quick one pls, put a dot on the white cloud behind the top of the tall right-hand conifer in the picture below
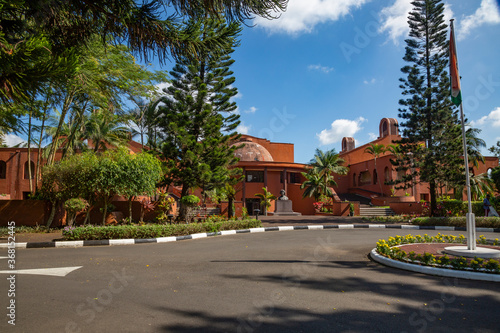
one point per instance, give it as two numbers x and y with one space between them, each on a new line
394 19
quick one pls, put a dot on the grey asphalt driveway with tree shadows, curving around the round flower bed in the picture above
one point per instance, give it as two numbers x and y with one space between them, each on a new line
289 281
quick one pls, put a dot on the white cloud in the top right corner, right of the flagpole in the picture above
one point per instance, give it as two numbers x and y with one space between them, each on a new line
487 13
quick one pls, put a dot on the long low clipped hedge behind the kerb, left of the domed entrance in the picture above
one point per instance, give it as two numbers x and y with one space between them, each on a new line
154 230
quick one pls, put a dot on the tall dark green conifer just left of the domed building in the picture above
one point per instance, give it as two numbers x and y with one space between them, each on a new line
196 116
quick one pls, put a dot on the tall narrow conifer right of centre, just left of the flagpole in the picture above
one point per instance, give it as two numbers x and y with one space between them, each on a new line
431 146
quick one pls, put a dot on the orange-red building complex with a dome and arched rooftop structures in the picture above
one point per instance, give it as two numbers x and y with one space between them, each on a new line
271 165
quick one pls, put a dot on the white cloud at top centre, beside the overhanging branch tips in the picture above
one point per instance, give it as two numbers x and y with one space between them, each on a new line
302 16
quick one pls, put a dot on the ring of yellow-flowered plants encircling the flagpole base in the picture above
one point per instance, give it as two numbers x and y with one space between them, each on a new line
391 249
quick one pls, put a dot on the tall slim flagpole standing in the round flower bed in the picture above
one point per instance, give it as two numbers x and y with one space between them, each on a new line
470 218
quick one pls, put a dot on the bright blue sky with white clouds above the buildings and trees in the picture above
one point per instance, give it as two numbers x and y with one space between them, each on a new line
330 68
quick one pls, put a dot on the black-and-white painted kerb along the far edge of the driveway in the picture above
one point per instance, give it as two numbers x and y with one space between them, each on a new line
130 241
